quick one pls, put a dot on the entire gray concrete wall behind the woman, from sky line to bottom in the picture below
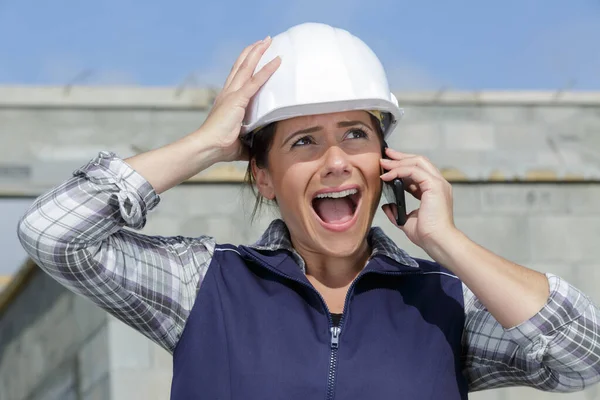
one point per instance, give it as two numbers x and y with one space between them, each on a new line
526 169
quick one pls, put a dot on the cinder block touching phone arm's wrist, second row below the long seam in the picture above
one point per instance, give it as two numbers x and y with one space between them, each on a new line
504 235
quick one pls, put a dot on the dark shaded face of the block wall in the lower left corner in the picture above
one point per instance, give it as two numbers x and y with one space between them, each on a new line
52 345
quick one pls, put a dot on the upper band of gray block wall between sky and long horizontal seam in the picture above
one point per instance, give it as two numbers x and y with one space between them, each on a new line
471 137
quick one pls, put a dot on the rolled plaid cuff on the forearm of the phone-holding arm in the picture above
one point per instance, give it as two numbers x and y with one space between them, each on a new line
565 304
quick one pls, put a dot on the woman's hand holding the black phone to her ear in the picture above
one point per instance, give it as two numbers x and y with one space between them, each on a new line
433 220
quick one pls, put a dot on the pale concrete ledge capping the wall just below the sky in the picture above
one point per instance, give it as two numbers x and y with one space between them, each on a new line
202 98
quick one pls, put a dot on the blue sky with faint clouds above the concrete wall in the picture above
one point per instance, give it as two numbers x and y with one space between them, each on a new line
469 45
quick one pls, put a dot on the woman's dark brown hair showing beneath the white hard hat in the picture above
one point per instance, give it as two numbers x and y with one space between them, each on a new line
258 151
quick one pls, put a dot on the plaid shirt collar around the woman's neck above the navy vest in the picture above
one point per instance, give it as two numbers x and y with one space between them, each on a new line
277 237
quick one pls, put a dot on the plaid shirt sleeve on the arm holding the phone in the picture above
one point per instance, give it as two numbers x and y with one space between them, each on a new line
557 350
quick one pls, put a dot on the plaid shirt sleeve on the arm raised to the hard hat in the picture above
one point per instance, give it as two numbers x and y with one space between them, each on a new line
76 233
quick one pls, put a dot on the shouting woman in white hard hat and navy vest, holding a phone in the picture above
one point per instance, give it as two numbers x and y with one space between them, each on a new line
323 305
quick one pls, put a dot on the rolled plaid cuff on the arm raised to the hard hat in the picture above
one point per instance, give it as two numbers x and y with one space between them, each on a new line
135 194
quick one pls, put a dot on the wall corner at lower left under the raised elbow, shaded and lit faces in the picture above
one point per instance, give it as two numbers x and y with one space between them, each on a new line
55 345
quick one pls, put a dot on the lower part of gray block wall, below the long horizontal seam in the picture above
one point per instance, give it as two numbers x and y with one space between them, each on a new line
54 345
